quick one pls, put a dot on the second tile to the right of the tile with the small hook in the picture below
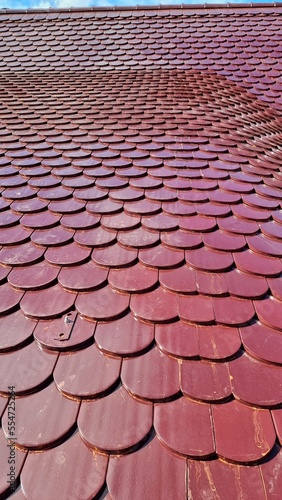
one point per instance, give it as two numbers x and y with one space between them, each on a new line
178 339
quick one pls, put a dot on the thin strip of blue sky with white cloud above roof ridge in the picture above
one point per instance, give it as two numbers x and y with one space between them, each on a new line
46 4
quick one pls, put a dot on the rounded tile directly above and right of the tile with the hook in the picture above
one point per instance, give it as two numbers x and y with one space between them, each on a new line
103 304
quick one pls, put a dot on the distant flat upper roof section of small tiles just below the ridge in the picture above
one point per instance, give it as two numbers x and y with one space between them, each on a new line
247 50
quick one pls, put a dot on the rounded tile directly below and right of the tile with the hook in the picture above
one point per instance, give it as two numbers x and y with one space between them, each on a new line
87 373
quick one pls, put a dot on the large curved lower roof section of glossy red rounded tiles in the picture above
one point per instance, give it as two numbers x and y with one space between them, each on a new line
147 228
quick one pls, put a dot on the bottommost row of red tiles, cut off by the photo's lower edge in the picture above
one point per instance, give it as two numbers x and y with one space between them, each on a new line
151 471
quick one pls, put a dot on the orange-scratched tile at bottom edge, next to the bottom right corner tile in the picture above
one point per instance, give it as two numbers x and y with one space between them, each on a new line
215 477
